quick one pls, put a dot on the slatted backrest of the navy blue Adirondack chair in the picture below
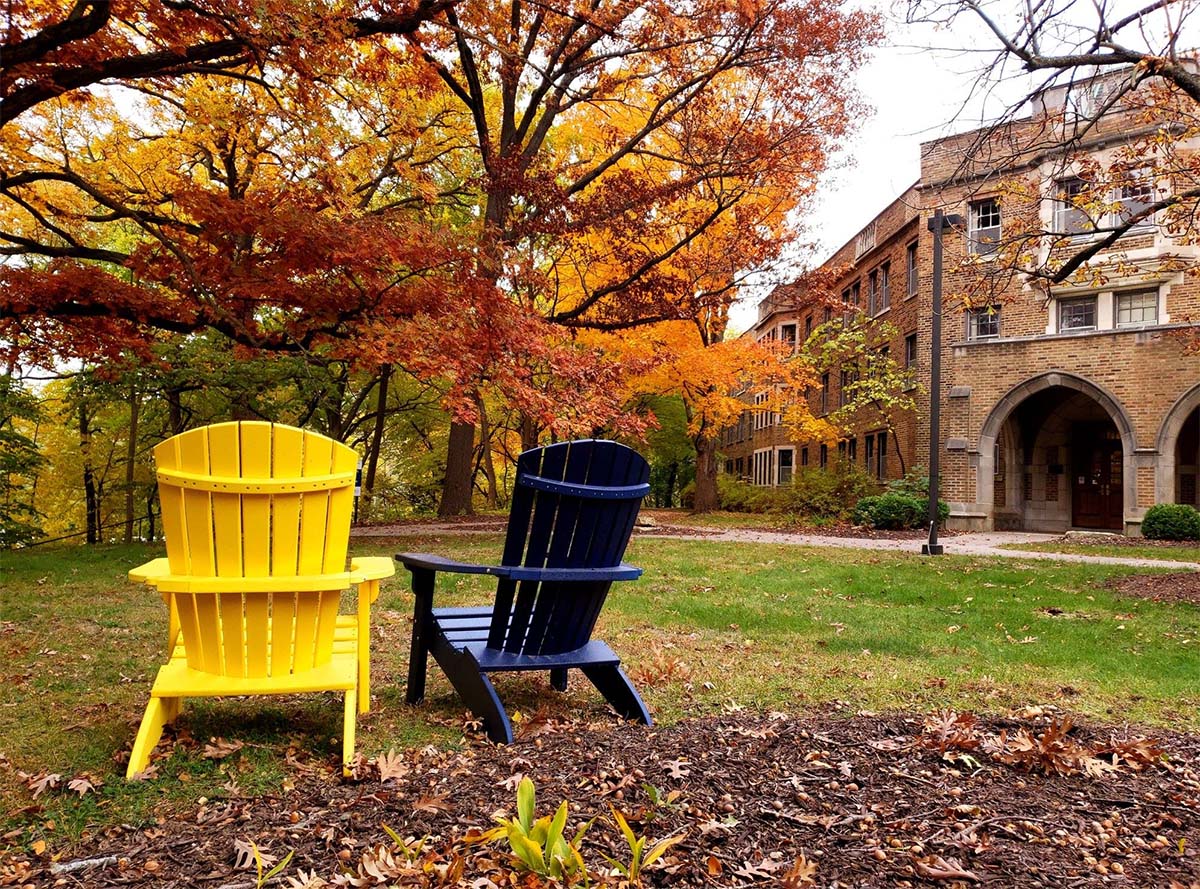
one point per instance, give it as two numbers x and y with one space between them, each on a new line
574 507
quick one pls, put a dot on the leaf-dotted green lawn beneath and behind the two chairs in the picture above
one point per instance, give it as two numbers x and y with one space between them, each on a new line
711 626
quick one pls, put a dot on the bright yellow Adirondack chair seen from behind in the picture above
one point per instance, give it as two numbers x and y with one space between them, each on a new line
257 519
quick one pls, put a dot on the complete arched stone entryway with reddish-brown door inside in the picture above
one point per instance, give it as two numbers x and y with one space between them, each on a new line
1058 452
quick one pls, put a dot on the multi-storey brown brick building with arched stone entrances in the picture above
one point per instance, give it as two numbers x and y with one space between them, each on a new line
1070 406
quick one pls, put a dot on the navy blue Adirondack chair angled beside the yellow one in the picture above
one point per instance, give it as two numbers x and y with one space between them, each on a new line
573 512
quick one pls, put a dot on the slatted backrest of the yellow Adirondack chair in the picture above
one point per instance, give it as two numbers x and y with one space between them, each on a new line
257 520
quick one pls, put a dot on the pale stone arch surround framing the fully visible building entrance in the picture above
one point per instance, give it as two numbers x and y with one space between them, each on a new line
1018 394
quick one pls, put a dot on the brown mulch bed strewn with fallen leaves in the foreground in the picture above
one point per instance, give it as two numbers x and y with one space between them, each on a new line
740 800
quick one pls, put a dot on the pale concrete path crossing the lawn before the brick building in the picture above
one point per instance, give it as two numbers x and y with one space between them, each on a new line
977 544
